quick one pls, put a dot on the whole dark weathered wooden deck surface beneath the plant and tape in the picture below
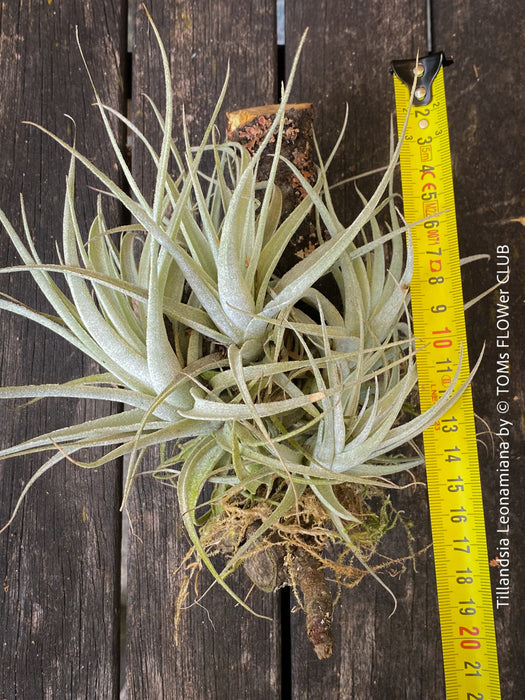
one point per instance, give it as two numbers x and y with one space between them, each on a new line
61 622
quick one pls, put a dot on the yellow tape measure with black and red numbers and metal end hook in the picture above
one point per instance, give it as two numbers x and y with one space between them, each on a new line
454 488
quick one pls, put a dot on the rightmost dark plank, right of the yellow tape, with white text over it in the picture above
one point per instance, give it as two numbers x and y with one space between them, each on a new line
485 106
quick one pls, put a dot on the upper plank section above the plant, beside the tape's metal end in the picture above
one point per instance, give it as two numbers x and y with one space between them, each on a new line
345 61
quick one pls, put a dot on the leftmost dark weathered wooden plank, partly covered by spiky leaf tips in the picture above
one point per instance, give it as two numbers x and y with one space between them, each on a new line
60 559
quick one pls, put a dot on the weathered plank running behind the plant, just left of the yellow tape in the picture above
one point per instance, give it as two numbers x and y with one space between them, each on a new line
346 59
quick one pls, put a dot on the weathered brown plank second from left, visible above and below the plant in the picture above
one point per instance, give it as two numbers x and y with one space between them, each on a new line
223 652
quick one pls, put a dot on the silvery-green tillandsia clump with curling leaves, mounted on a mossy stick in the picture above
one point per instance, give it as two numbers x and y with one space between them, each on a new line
287 408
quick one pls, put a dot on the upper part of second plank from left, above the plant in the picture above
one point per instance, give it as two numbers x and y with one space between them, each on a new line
201 41
